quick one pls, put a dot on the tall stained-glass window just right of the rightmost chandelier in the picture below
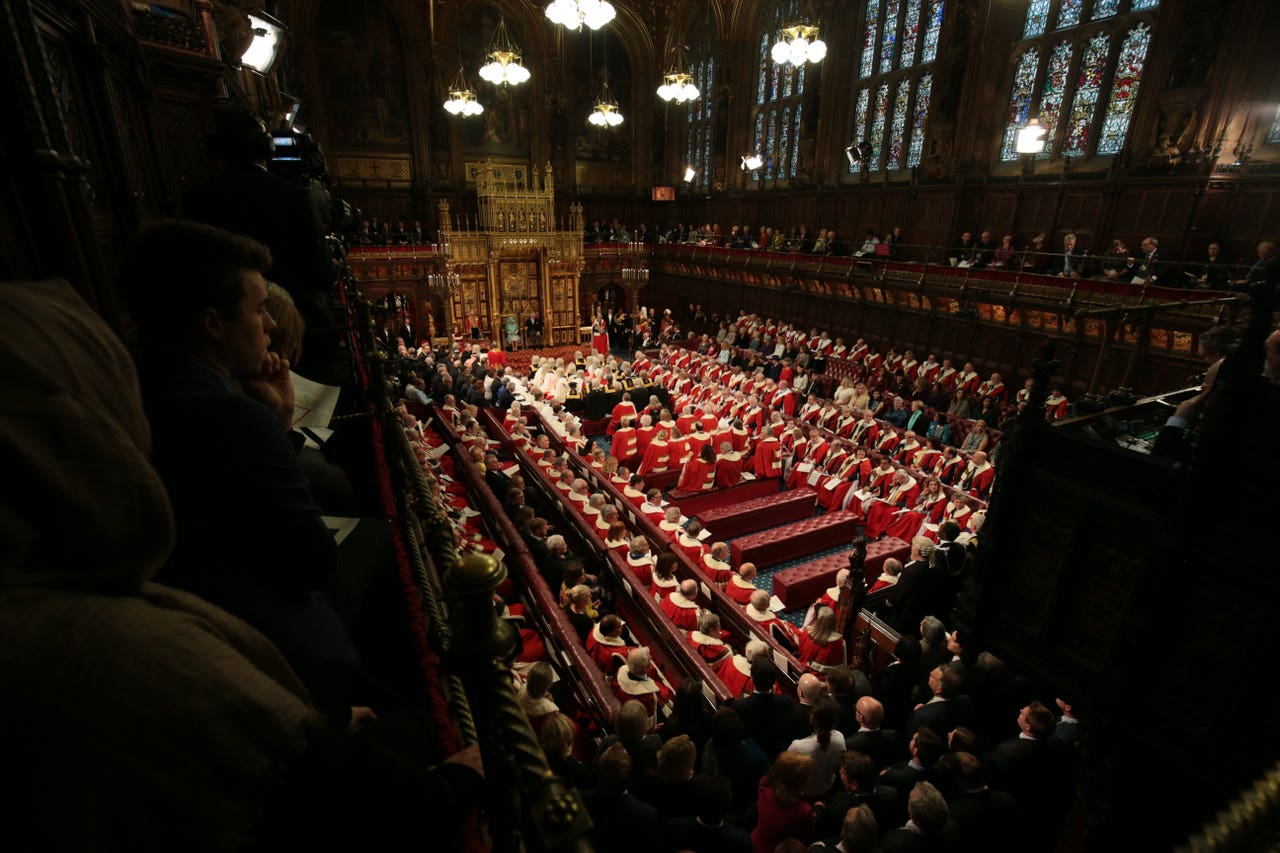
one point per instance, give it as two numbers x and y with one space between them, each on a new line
900 43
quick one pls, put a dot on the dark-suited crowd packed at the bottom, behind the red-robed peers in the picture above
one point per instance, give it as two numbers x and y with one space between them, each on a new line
669 793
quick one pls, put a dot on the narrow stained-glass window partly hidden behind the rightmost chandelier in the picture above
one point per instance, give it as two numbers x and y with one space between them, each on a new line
779 101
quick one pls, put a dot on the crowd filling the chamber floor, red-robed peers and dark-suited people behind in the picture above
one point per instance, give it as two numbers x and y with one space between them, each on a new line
940 750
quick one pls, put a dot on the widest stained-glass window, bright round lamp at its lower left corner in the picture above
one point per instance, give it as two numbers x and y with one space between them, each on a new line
1078 70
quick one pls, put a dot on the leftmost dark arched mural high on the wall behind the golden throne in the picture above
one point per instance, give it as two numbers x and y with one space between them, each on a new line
363 75
